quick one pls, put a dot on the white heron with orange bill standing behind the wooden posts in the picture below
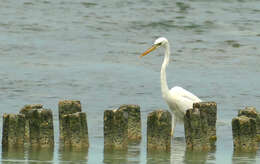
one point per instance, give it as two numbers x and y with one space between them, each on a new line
177 98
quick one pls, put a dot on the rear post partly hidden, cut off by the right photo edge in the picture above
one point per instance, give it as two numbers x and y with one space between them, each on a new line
252 113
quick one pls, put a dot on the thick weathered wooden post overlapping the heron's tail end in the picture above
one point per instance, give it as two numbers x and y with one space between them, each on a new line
200 126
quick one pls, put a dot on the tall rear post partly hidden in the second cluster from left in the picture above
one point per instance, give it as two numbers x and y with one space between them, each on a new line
67 107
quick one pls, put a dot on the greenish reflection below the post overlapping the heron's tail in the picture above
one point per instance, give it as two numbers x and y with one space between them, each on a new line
195 157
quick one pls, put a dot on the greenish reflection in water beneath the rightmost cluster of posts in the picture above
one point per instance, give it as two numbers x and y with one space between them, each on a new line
243 157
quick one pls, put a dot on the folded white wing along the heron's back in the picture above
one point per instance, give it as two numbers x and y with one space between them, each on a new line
179 91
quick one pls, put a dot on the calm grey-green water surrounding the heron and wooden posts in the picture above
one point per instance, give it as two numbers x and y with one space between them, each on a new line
88 50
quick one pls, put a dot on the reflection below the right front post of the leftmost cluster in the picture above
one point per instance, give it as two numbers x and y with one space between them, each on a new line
37 154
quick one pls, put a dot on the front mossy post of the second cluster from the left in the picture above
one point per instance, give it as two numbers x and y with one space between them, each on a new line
76 134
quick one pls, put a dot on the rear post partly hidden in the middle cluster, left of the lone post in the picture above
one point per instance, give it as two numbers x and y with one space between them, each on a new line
134 121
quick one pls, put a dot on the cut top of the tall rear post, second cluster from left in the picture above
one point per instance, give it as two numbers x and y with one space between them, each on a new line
69 107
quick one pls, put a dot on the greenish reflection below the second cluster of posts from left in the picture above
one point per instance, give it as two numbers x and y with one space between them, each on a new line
68 154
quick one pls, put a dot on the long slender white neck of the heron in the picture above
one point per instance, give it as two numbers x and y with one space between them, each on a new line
164 85
